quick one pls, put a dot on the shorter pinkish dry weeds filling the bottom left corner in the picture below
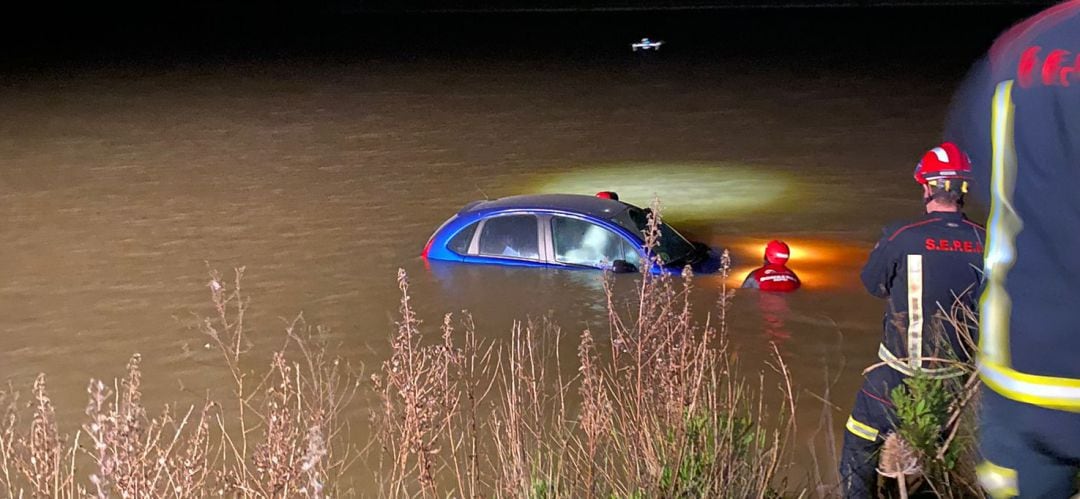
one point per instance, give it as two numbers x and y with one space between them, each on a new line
280 435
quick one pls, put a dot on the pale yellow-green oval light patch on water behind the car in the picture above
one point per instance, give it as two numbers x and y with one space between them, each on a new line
687 192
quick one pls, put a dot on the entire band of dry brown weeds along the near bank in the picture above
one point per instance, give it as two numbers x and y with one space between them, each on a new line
656 407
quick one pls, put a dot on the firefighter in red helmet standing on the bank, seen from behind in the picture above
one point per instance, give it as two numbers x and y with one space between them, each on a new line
922 268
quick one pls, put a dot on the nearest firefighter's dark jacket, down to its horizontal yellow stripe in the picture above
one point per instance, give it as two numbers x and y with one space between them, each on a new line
1020 120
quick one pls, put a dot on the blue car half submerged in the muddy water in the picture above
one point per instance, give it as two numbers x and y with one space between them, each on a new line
564 232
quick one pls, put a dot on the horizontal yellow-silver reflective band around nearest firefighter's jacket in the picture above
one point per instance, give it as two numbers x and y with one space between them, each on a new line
1046 392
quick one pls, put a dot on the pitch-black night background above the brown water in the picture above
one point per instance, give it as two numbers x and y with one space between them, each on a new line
163 34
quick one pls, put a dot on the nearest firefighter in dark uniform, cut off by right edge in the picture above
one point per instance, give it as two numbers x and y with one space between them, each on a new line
1019 117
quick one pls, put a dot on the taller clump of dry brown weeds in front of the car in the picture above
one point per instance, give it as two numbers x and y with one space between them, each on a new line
657 409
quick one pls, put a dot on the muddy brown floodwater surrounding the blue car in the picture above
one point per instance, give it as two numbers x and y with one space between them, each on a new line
118 188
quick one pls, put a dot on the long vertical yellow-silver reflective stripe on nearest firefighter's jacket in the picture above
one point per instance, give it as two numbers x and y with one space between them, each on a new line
1004 226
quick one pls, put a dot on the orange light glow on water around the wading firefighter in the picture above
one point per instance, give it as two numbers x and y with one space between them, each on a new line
821 264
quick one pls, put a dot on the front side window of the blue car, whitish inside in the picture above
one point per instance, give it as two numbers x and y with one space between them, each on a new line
580 242
